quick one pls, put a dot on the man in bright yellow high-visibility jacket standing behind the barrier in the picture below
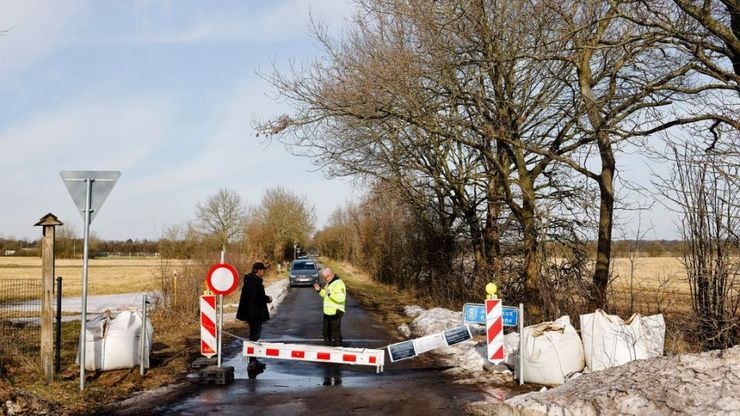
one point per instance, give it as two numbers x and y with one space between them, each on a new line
334 295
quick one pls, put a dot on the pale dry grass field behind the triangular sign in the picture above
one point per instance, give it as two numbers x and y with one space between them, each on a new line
105 276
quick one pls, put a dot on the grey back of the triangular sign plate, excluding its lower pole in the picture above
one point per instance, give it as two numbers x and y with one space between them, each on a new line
102 182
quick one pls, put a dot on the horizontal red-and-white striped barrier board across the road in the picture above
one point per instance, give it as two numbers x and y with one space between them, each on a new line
340 355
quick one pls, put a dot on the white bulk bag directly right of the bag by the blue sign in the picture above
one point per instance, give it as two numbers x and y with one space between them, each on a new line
608 341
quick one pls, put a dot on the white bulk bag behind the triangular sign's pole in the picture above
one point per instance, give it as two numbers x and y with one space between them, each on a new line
120 344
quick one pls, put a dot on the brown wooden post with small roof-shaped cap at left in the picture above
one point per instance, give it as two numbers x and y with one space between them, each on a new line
48 222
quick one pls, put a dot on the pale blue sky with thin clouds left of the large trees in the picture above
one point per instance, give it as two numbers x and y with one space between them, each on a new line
167 92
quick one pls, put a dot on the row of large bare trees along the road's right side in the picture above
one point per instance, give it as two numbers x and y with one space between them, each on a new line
491 129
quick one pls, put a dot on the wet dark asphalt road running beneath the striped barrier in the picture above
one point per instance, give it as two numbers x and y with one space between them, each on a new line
298 388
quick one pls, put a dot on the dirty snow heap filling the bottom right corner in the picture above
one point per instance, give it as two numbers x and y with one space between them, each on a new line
707 383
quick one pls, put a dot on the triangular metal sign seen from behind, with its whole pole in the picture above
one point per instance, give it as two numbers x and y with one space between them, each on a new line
88 199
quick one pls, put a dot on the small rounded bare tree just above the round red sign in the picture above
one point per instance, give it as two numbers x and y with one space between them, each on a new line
222 216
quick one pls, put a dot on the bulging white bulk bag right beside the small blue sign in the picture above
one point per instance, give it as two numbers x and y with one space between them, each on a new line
552 351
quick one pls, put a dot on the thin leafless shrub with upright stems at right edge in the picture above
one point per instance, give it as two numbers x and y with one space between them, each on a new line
703 188
